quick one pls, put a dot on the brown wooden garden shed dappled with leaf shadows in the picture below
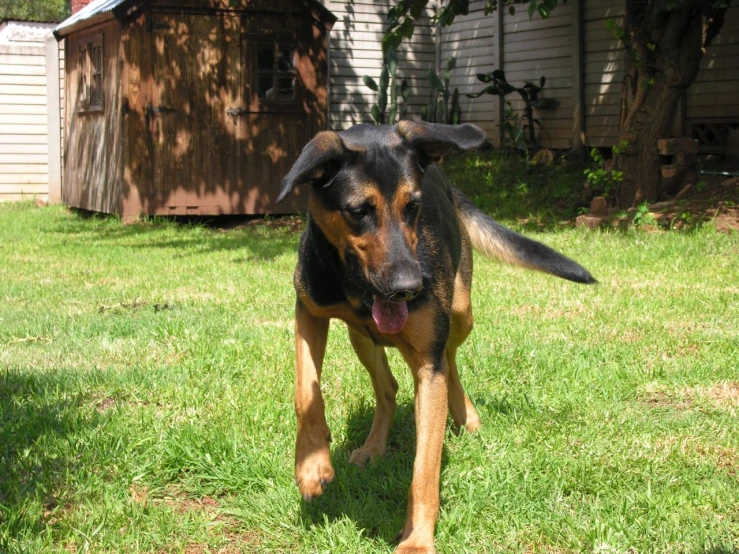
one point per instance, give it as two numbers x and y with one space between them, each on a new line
178 107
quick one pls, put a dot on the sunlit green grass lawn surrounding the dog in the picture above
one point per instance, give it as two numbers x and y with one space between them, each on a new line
146 399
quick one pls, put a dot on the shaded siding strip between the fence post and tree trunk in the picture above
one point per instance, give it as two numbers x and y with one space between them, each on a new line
604 71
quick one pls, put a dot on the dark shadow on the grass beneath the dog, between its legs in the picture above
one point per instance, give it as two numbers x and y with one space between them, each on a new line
375 497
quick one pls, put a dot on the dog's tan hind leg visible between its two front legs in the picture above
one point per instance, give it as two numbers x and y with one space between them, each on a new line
373 358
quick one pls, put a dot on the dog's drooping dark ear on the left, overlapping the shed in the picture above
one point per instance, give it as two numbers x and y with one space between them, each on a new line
318 157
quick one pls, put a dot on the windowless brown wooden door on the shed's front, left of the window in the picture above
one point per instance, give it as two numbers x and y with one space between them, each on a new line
196 76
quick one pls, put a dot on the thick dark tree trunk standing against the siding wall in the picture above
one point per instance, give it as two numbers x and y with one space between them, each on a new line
664 48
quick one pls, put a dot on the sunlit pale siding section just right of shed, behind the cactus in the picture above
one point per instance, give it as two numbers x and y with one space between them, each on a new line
356 50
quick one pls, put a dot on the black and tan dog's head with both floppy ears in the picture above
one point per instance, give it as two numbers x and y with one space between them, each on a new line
366 199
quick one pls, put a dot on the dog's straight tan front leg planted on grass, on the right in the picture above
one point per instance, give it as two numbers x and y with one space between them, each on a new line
430 381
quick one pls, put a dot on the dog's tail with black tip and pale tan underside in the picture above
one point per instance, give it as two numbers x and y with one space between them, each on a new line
492 239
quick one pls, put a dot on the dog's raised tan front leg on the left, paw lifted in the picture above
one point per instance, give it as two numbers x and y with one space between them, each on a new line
313 470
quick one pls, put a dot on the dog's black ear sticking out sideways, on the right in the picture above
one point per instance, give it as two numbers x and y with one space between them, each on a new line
435 140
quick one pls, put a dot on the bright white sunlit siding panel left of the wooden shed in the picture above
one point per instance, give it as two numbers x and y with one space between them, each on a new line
23 131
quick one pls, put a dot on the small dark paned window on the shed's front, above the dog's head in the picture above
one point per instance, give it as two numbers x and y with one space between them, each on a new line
276 72
